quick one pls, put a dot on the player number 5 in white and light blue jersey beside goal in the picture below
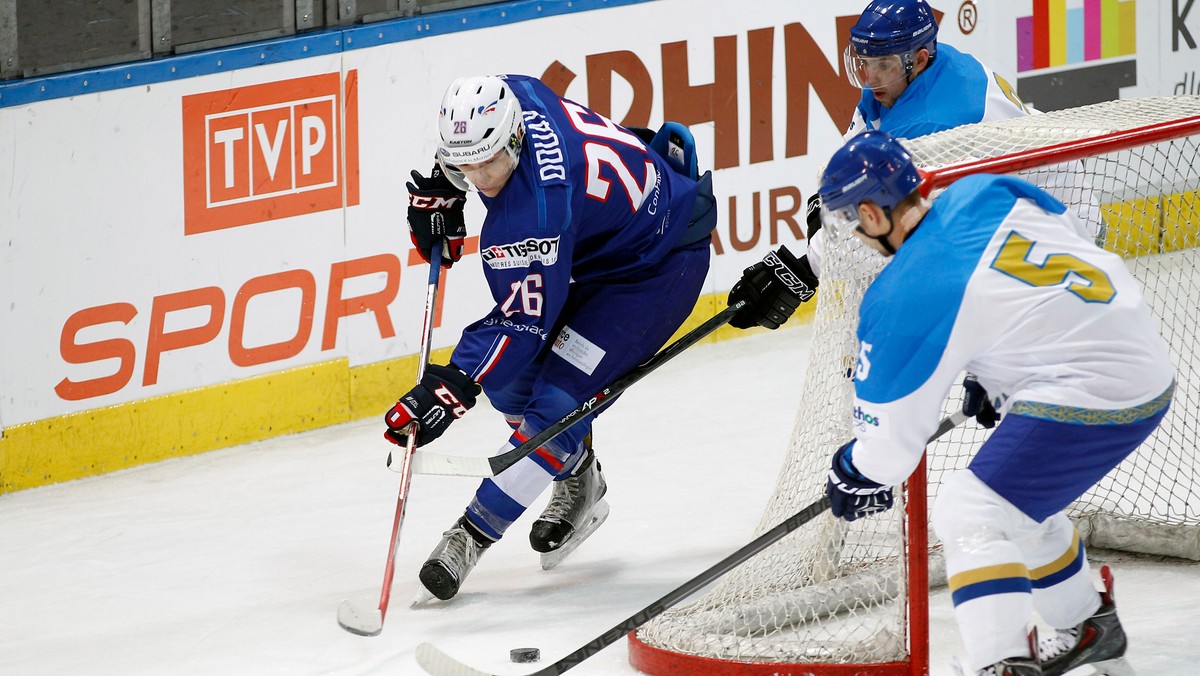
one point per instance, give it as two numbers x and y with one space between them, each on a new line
997 278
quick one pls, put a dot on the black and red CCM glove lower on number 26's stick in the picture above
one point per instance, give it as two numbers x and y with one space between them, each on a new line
443 396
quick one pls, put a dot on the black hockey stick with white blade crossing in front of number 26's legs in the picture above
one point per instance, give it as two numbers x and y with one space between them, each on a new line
427 463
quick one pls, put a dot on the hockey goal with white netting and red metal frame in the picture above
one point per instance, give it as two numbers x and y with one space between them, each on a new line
841 599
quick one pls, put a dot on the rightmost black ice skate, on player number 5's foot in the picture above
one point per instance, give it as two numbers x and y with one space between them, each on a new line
1095 648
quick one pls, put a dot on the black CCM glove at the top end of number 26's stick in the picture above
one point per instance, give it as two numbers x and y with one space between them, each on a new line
435 214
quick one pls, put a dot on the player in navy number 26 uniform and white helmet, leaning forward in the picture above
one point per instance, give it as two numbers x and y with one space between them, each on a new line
596 247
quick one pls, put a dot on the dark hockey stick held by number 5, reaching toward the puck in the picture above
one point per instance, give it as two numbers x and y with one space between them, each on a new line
439 663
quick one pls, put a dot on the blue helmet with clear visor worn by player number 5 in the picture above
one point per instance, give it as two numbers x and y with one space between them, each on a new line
874 167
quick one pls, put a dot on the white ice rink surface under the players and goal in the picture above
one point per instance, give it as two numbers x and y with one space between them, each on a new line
235 563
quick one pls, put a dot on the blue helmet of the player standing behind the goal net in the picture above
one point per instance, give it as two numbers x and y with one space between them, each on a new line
895 27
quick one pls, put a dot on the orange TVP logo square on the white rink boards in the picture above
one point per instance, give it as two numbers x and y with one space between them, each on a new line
268 152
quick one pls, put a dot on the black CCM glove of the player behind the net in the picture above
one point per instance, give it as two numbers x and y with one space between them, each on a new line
773 289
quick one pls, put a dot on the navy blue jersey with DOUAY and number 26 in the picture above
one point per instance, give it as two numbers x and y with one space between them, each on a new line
589 202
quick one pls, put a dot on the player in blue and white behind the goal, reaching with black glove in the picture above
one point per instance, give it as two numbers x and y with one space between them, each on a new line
913 86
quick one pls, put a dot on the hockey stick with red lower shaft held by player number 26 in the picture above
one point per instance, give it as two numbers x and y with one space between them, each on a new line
370 623
